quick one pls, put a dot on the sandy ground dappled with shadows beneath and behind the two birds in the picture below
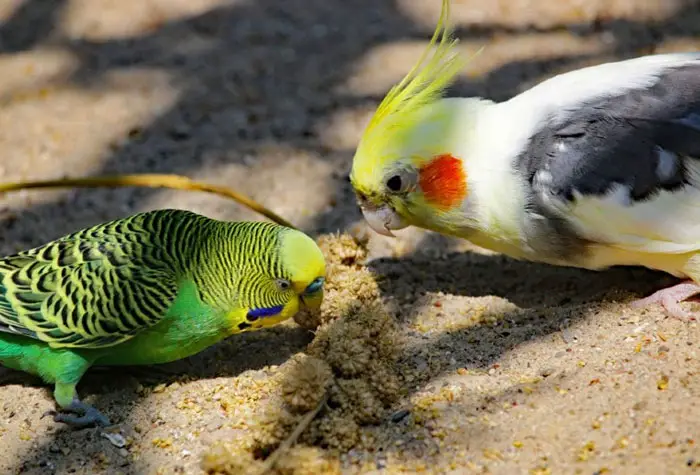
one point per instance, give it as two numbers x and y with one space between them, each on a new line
499 366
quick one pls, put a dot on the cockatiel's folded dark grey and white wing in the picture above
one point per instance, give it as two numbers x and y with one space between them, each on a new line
624 169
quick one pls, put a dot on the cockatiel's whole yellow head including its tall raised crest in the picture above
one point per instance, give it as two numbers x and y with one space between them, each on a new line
404 170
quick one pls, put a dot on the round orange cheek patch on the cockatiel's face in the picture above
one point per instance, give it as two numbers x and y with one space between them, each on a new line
443 181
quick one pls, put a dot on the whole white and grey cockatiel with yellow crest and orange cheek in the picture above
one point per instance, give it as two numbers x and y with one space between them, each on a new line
593 168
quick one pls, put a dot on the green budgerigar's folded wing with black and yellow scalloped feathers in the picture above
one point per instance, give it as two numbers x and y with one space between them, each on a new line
93 289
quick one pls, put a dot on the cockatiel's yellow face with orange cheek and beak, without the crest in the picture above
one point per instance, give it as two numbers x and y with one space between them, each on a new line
408 172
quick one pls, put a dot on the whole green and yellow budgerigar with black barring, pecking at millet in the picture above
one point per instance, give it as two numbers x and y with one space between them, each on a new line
151 288
